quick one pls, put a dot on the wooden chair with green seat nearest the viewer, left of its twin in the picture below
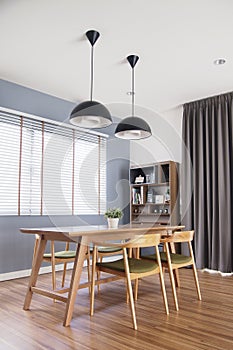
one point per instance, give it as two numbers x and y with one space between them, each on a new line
131 269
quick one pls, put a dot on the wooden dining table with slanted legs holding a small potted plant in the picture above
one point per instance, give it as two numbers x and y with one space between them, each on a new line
83 236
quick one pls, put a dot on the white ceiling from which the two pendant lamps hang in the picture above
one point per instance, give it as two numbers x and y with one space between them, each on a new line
43 47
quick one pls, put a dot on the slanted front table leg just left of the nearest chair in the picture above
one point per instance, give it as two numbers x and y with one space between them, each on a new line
75 279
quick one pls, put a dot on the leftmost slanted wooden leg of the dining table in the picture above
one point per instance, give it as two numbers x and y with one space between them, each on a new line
37 260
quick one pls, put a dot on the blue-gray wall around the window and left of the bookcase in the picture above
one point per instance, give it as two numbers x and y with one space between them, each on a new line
16 248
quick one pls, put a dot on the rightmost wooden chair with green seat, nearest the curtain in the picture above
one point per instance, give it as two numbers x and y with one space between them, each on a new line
173 261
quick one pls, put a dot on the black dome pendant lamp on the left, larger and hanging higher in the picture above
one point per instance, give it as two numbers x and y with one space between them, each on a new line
91 114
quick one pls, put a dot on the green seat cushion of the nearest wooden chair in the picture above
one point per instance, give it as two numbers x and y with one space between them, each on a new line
135 265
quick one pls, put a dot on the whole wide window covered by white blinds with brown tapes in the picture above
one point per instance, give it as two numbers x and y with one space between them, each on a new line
48 169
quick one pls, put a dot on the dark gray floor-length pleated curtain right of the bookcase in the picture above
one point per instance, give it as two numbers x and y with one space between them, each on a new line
207 180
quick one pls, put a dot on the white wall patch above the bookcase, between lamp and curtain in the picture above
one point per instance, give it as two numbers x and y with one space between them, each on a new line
165 142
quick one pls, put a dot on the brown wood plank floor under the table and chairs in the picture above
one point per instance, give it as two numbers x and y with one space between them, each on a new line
198 325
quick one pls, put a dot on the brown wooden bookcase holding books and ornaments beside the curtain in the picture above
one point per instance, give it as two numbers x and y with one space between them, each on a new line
155 193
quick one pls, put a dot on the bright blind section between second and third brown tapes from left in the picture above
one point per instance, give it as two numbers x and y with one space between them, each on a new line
57 170
